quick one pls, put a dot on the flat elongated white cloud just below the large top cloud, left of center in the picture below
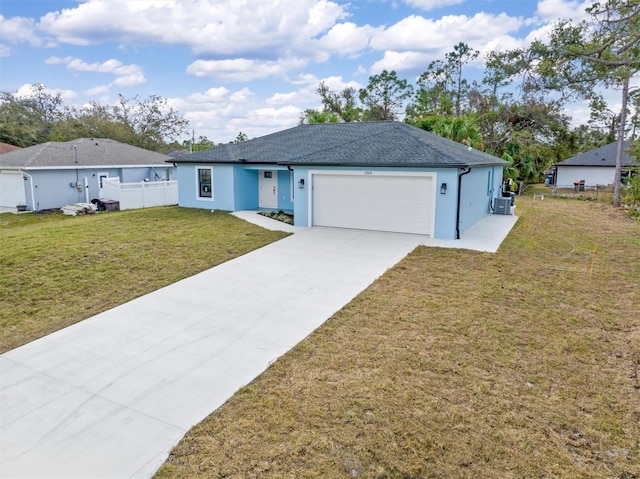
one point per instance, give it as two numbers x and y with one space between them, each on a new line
242 69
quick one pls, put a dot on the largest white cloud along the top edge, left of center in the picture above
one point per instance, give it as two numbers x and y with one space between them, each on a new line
206 27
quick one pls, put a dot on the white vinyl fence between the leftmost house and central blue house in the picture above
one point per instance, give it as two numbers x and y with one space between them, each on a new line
143 194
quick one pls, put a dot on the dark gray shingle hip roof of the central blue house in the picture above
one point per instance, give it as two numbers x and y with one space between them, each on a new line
379 143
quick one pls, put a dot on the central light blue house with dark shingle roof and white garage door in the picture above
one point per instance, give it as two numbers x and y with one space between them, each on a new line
386 176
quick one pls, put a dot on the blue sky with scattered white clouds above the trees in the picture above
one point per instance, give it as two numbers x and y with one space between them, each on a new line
249 66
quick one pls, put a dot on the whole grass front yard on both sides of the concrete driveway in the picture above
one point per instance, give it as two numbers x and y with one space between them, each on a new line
518 364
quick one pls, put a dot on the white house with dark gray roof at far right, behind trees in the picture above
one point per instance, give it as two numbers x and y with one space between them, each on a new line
595 167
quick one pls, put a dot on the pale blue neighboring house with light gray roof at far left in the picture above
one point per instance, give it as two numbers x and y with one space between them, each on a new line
52 174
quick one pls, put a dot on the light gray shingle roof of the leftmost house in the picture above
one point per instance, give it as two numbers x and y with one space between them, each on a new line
91 152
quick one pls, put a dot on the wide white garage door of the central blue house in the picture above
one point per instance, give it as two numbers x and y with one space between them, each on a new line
403 204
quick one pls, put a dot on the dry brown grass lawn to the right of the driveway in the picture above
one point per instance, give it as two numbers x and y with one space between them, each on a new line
457 364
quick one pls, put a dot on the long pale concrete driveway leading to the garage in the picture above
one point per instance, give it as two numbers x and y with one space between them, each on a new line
111 396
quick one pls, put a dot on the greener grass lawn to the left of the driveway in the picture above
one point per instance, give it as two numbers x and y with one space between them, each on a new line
57 270
